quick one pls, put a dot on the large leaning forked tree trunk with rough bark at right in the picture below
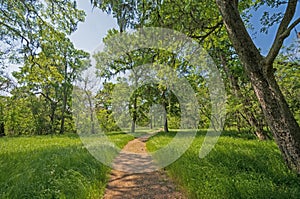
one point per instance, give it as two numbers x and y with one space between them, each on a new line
261 73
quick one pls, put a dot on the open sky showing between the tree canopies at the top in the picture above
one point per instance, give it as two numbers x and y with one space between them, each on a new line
90 33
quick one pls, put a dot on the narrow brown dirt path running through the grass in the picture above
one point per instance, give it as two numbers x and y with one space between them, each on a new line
135 175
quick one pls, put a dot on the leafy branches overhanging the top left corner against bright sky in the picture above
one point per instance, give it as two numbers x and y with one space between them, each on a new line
25 24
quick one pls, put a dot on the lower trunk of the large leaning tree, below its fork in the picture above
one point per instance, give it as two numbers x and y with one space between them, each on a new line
280 119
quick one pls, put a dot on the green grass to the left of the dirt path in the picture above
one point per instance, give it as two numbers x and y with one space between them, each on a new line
52 167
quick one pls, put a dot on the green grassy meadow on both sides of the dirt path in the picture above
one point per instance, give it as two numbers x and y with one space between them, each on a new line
60 167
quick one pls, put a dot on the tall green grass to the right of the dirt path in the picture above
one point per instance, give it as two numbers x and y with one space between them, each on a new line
238 167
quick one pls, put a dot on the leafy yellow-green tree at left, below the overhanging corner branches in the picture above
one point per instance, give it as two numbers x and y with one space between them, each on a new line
51 76
